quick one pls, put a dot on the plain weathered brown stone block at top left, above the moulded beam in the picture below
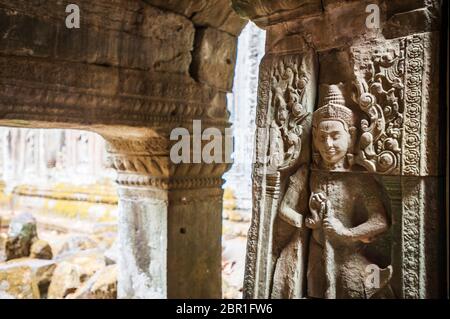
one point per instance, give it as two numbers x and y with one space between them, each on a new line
122 33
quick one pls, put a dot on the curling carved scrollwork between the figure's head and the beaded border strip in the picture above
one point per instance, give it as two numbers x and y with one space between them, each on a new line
380 96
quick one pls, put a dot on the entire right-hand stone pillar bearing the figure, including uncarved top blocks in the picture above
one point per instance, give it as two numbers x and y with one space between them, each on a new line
380 61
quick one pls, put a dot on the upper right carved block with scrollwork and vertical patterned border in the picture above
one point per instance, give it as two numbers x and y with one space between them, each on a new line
388 89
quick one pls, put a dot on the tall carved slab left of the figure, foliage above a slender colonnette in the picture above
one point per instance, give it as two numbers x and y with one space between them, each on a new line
287 95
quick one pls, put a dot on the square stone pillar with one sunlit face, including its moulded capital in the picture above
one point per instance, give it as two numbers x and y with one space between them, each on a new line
169 222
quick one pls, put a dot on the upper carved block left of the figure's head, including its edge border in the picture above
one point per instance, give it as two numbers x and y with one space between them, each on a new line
285 114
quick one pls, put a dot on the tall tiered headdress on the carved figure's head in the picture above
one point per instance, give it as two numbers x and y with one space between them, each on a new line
333 108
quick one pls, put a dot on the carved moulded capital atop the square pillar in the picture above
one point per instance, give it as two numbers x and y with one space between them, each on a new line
146 163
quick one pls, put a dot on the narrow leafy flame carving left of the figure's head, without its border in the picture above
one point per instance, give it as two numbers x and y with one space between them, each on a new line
289 104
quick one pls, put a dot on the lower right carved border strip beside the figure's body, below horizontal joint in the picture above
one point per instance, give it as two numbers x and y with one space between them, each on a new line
415 231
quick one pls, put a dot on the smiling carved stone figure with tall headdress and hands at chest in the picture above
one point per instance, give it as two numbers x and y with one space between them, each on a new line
345 214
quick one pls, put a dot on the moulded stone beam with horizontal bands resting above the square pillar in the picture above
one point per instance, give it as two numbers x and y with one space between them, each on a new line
109 96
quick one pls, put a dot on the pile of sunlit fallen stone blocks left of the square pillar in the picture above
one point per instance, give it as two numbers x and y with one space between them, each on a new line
71 266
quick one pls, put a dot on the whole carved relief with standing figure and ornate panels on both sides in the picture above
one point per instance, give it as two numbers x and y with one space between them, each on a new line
338 188
